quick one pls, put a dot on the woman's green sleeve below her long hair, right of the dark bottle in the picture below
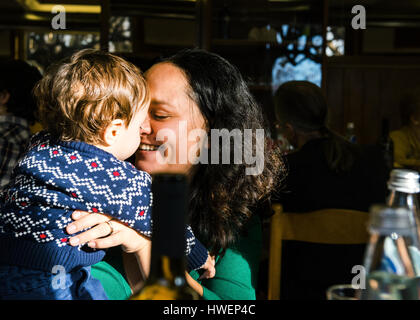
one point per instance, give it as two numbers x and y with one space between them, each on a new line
237 271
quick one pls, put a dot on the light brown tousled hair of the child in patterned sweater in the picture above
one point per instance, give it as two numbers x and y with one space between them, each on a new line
79 97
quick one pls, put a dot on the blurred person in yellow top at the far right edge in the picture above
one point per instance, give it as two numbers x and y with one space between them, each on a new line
407 138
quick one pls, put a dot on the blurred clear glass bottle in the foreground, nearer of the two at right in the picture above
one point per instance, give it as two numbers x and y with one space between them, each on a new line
392 256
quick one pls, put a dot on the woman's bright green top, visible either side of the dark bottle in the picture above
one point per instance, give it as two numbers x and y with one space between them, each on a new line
236 272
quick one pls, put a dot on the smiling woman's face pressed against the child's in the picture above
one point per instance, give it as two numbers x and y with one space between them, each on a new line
172 115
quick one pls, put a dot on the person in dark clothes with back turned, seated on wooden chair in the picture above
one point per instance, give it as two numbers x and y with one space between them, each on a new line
324 172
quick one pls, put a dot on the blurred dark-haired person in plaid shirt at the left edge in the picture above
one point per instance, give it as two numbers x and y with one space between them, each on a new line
17 112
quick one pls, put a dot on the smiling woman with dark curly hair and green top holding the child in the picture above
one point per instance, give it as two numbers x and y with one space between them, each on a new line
196 92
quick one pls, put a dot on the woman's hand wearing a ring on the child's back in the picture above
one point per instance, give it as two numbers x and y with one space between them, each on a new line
105 233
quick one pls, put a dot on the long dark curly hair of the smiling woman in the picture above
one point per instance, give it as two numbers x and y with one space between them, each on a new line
224 196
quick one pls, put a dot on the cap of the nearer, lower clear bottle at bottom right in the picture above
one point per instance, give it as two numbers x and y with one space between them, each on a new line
387 220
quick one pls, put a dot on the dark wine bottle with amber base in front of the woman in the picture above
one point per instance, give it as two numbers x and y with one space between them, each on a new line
167 268
